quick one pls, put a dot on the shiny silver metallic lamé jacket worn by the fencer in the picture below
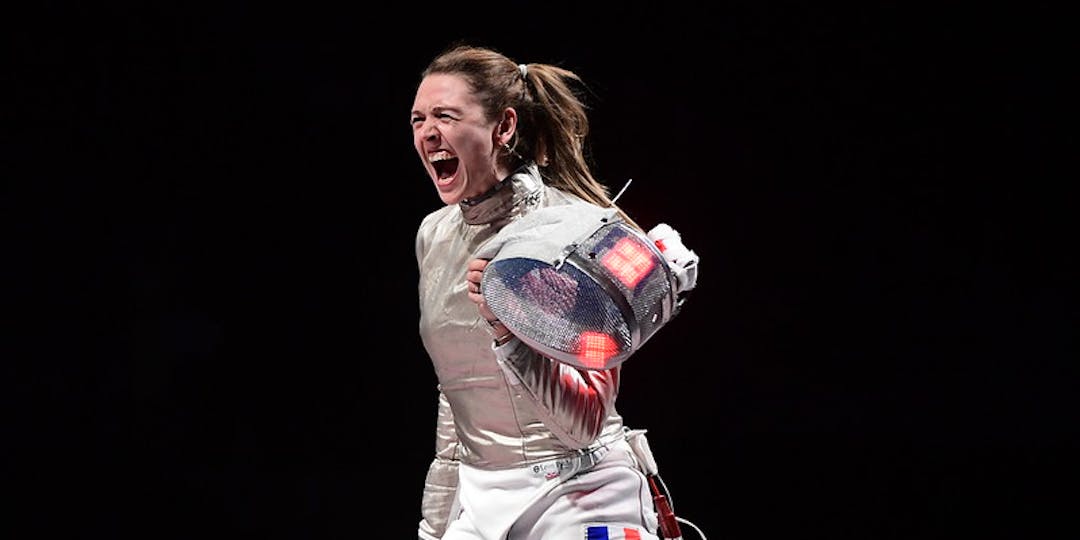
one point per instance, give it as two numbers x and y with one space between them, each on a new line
506 407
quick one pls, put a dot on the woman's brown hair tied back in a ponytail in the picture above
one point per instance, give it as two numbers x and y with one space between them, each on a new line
552 120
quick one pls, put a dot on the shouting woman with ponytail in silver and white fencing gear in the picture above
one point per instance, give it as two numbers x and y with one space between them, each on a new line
526 447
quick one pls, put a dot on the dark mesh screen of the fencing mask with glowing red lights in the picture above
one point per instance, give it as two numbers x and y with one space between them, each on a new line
596 309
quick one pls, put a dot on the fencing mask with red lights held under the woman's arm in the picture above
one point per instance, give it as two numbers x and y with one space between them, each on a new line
582 287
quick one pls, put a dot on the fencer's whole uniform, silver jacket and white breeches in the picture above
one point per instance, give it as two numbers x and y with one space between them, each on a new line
526 448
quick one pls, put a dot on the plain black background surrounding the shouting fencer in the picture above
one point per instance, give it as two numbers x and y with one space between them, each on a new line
213 287
